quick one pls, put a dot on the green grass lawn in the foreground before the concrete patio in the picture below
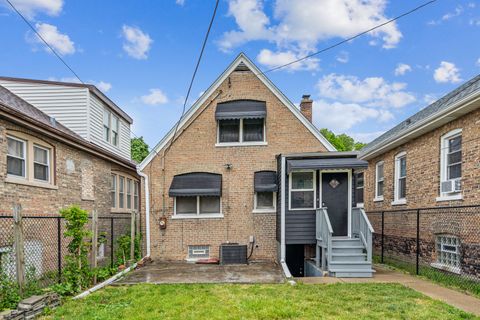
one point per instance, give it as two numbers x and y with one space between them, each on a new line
283 301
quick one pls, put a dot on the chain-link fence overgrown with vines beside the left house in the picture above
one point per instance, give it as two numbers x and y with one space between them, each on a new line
45 246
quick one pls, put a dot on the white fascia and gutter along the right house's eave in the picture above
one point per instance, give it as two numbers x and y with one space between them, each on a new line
428 124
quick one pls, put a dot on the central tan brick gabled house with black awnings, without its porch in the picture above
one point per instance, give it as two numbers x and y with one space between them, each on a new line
212 177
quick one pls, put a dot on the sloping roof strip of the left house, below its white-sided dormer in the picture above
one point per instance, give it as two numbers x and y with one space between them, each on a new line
17 108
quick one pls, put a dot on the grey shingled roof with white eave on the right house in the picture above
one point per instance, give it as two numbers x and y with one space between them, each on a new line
453 105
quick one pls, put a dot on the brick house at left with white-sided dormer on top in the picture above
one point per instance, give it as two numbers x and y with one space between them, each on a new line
51 159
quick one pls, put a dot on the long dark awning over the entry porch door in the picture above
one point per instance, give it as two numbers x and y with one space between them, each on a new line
325 163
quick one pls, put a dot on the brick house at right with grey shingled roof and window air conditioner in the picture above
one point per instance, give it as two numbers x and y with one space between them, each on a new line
432 159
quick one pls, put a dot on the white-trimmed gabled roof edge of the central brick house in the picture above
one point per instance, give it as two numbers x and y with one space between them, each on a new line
241 62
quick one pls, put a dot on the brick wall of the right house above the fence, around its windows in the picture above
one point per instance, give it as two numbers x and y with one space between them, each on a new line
423 168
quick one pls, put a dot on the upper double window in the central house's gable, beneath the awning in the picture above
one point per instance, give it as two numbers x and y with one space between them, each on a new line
241 130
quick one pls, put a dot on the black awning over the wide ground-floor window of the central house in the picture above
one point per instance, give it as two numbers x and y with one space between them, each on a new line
196 184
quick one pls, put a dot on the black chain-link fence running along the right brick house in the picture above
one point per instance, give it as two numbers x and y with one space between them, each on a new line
442 243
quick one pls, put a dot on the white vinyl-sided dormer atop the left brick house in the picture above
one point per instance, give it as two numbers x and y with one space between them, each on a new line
76 107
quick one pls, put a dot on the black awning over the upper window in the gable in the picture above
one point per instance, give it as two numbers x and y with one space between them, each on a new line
241 109
